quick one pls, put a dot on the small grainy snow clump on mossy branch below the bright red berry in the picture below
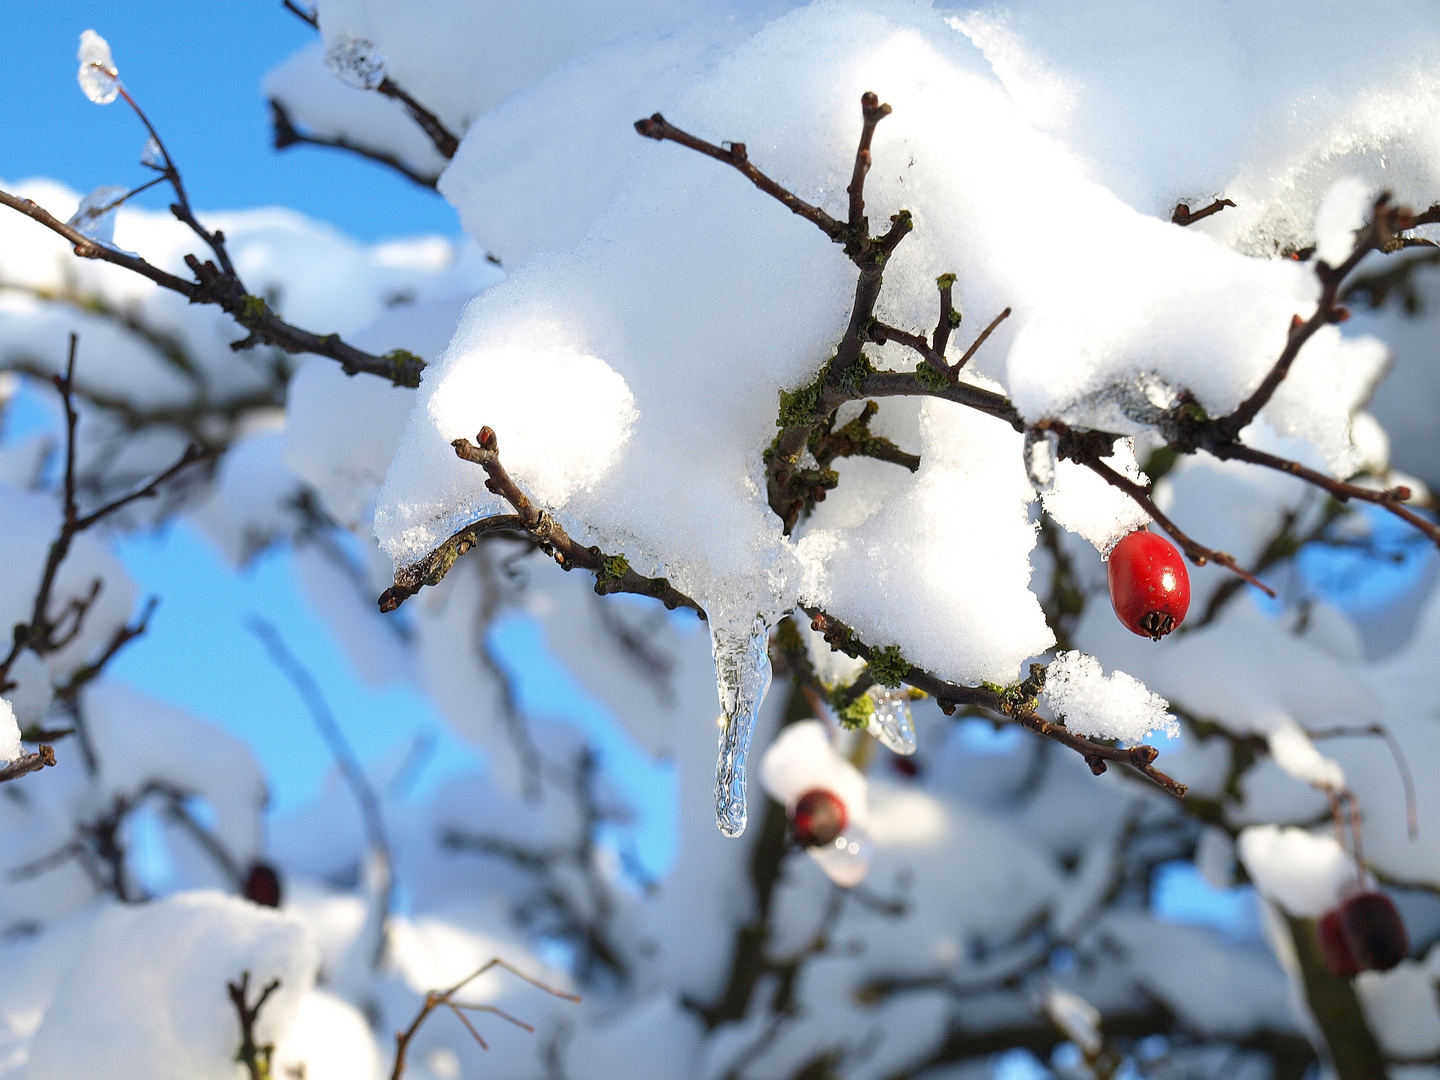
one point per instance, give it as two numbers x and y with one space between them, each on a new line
1114 706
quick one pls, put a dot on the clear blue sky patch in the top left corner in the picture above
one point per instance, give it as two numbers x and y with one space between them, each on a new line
197 68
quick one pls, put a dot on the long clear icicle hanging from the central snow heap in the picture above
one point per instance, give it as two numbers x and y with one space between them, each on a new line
742 678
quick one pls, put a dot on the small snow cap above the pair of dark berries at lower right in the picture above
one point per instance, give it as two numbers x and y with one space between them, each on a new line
1305 873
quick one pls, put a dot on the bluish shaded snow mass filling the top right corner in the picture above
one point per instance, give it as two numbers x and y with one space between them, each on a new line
1268 104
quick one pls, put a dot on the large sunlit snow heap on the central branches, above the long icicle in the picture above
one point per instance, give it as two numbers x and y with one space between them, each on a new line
627 410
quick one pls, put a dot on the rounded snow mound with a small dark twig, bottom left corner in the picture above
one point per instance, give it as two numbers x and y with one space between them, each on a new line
149 991
